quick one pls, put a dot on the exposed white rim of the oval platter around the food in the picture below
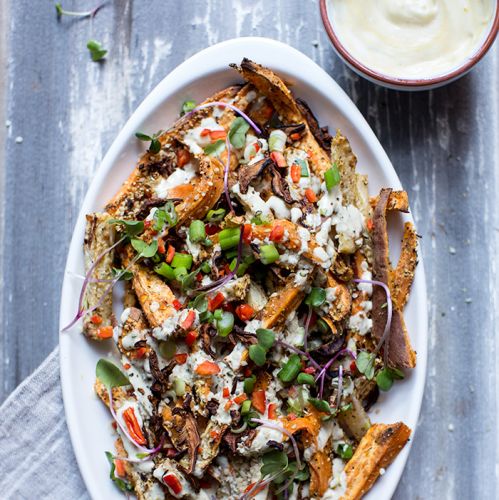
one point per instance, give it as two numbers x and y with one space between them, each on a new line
264 51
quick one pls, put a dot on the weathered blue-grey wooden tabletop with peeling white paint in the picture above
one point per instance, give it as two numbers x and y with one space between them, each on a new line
444 145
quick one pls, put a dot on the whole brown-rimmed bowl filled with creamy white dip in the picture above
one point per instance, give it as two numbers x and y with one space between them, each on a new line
411 44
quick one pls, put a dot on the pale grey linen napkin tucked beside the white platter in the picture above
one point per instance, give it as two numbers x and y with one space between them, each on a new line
36 456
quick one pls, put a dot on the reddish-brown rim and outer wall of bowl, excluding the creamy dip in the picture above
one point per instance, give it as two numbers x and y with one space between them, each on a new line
402 83
